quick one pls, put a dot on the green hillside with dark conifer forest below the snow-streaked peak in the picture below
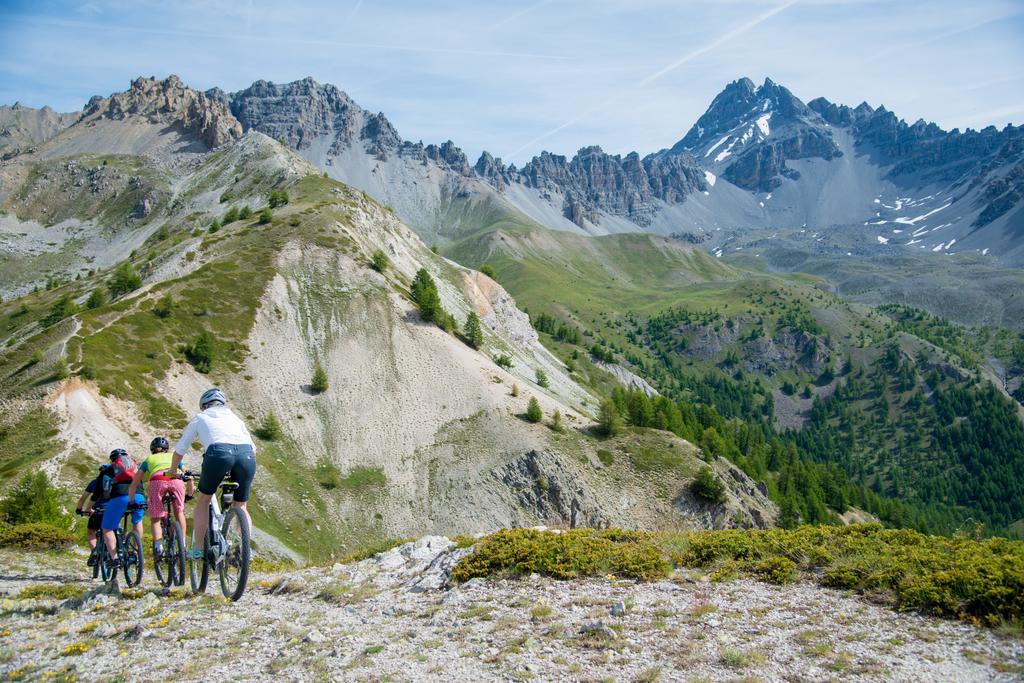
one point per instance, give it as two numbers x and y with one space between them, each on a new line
833 406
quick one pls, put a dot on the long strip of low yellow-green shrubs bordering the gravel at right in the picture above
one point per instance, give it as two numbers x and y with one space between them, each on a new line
976 581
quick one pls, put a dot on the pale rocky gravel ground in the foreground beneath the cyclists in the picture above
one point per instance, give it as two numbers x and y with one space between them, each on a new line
391 619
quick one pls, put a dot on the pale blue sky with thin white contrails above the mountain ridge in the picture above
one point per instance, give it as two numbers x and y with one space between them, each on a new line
518 77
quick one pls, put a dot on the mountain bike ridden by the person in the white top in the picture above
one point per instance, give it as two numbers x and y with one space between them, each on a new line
227 547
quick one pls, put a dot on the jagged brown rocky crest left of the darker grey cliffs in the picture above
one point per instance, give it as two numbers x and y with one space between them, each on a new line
170 101
